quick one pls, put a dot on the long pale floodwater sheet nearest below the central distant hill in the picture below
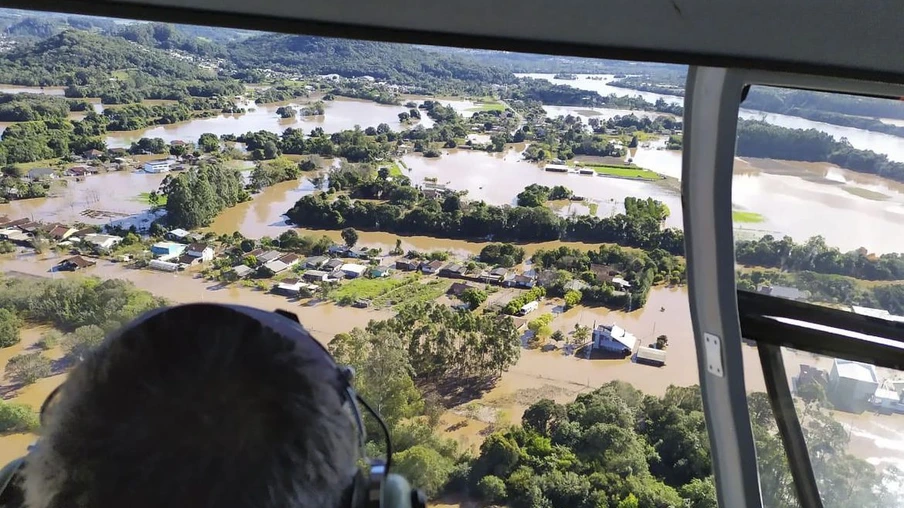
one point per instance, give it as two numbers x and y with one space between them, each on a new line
339 114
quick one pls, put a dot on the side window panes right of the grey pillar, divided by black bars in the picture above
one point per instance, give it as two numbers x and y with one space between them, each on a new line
817 198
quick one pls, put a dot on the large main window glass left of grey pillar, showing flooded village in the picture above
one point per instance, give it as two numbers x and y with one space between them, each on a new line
492 239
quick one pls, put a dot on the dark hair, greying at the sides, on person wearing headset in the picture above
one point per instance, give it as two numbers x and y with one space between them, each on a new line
200 406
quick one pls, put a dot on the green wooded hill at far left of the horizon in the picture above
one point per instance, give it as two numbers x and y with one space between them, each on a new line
77 57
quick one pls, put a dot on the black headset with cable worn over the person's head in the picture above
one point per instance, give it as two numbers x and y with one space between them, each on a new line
373 487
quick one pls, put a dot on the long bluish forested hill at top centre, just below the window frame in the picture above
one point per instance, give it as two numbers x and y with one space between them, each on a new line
398 63
